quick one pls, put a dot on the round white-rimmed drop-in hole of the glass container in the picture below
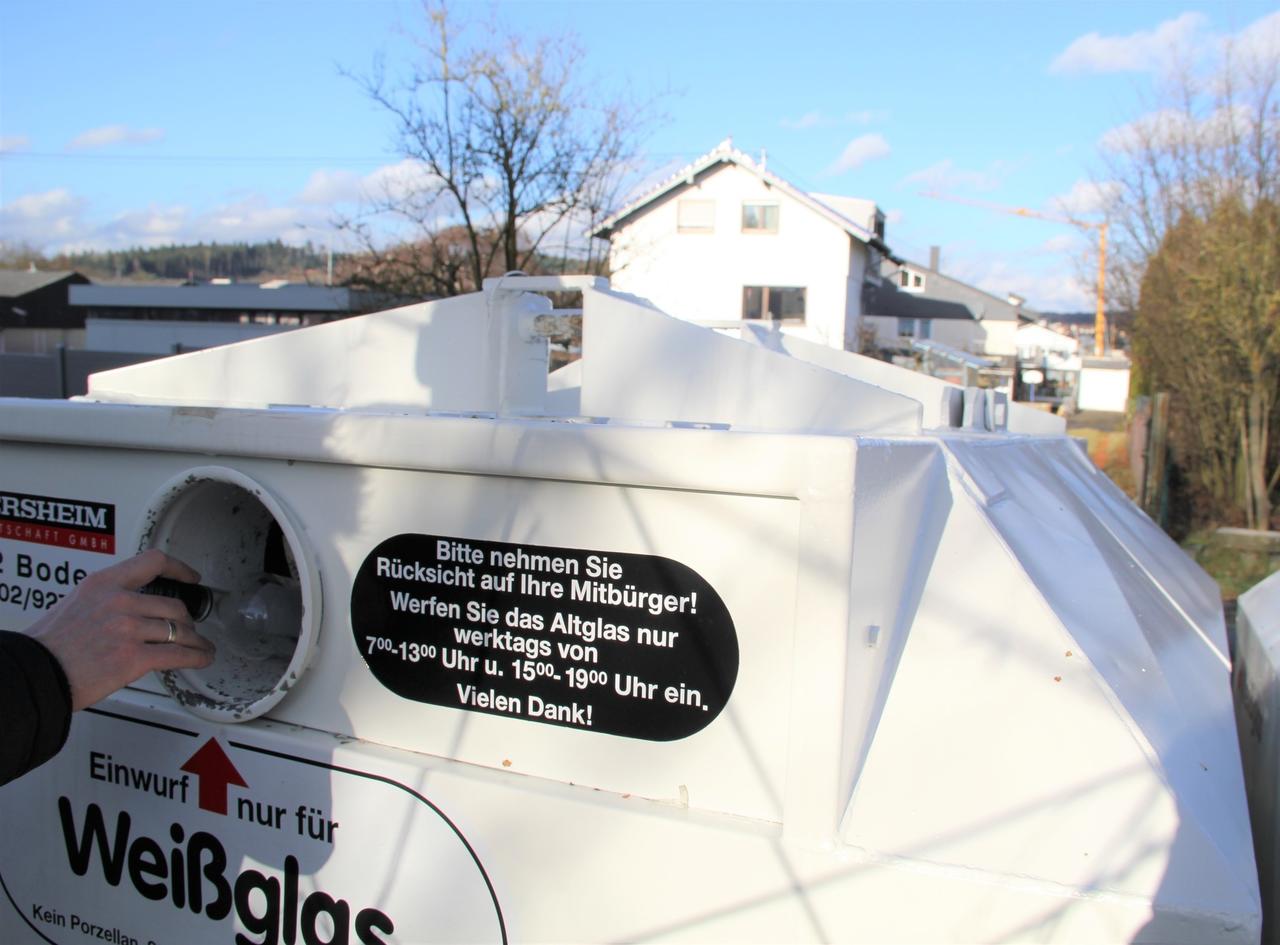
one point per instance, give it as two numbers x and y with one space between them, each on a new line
266 597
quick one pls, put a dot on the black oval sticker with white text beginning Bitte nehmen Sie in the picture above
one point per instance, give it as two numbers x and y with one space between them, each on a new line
624 645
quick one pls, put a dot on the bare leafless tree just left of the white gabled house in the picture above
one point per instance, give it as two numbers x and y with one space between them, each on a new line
506 148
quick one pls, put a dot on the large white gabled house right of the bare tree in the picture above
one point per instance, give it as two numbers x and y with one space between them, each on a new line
725 241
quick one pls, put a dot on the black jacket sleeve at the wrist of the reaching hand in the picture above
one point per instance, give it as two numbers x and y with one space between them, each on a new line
35 705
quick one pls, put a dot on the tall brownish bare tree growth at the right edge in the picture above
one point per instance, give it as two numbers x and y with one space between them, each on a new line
1196 212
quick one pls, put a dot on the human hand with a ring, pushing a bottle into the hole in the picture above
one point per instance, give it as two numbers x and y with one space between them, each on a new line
106 634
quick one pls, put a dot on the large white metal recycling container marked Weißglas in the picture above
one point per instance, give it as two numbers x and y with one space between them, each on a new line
701 640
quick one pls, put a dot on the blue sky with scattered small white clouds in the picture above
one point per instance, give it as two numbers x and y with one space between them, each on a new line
153 124
